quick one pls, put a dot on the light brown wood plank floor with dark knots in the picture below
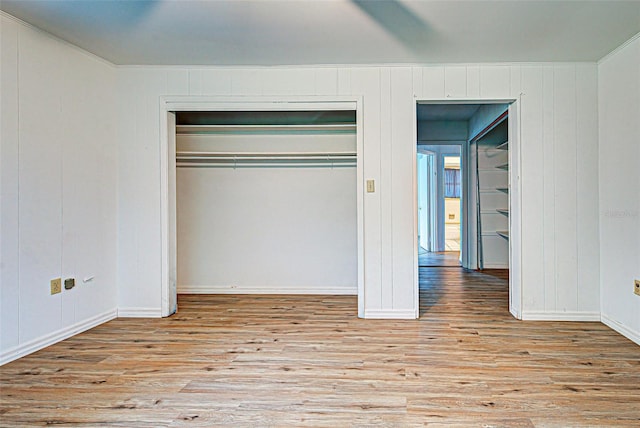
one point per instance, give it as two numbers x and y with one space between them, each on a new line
308 361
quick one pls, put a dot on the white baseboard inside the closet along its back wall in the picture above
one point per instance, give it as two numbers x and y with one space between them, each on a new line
257 289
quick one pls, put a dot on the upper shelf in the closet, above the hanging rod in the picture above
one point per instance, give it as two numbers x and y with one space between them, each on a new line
206 129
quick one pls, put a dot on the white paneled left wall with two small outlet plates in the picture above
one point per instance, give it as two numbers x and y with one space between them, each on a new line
58 188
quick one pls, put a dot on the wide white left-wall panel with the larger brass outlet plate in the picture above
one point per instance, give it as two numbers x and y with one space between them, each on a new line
40 180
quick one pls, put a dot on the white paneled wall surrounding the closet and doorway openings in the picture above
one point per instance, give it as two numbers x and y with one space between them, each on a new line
560 216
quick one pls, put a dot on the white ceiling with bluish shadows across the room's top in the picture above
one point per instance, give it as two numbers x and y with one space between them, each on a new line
308 32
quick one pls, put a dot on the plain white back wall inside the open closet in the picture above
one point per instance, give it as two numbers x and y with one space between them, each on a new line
263 228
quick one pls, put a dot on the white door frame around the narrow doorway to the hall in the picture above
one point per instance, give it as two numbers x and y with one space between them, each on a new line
515 192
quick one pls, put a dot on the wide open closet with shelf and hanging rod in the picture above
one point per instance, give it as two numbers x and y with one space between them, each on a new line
262 198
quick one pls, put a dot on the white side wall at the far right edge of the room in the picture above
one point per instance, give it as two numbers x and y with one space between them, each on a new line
619 116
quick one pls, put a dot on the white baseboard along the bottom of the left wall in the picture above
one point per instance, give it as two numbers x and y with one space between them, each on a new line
55 337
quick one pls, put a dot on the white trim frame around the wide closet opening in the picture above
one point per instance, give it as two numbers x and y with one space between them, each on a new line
169 105
